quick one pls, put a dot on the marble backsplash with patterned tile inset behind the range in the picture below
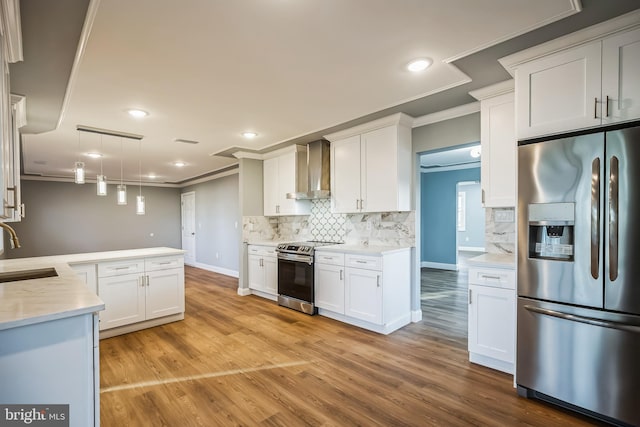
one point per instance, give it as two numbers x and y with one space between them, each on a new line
375 229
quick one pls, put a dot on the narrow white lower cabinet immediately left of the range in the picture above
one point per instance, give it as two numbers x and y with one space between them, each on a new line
263 270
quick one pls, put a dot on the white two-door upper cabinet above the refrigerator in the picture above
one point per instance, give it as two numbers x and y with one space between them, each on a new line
582 80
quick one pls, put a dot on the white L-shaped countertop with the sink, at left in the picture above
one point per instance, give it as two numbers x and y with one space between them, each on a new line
27 302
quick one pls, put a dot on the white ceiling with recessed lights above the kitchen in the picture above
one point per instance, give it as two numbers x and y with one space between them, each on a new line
207 70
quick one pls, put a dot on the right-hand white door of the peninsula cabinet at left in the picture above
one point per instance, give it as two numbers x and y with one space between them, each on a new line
164 293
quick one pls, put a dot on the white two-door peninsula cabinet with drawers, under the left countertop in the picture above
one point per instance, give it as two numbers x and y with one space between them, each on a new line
139 290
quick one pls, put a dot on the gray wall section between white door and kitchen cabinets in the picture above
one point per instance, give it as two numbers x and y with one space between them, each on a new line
217 222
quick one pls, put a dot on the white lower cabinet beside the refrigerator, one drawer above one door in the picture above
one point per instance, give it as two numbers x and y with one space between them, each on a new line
492 320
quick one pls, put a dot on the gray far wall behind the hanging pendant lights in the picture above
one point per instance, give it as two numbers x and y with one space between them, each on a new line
66 218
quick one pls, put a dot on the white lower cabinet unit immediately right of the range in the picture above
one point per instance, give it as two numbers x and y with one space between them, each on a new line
369 291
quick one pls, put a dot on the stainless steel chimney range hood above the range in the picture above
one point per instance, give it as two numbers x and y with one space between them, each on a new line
318 173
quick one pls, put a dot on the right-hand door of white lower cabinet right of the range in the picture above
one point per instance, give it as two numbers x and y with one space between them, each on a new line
363 294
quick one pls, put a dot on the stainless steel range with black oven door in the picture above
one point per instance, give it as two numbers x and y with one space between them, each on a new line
296 275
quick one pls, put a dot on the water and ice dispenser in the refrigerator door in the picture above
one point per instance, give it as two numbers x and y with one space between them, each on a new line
551 233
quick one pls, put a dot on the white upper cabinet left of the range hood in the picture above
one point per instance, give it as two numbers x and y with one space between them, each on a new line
282 170
